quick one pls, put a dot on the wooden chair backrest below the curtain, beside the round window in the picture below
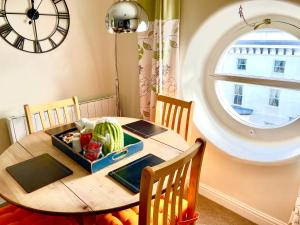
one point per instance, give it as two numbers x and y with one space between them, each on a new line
174 112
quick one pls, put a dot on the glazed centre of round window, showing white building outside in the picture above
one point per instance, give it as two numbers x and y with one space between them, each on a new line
266 57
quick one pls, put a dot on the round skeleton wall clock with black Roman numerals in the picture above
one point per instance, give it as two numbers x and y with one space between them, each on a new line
35 26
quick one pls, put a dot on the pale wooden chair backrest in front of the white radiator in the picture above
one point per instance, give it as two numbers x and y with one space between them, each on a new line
52 114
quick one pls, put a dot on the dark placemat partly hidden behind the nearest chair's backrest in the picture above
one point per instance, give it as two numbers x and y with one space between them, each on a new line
130 174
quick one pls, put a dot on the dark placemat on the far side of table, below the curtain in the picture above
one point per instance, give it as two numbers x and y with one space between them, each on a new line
144 128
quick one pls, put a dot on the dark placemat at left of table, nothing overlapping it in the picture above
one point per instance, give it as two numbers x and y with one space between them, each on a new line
38 172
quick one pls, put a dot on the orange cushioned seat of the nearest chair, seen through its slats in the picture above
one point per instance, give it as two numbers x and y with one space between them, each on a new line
130 216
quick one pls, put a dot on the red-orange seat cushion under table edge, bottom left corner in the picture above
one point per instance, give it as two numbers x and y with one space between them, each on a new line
12 215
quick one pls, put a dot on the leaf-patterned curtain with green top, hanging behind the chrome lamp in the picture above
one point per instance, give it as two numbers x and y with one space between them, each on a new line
158 53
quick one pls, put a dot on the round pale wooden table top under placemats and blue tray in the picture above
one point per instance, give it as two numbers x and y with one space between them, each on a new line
80 192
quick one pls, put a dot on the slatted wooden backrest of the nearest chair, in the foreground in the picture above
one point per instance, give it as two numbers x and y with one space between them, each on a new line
171 178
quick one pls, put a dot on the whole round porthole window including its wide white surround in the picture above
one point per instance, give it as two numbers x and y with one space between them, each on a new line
246 83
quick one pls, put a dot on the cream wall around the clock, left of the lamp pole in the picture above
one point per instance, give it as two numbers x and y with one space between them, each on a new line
82 65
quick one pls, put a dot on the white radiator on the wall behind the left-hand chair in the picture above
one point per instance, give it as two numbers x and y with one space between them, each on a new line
17 125
